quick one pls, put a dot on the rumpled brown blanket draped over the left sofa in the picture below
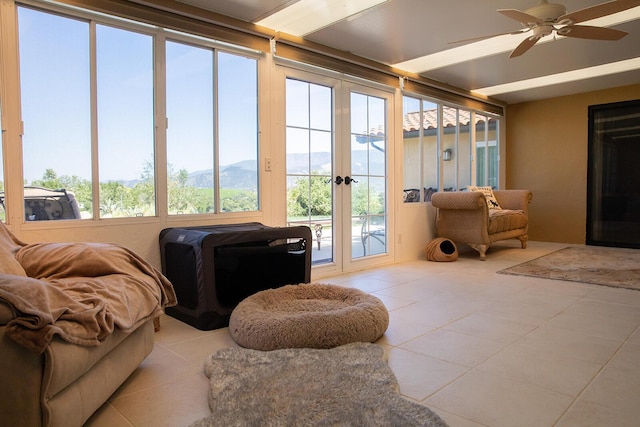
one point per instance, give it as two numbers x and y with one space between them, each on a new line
81 292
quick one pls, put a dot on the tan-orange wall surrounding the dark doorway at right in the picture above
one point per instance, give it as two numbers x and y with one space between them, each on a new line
546 152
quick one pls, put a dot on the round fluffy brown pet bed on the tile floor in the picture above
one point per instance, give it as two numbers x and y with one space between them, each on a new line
307 316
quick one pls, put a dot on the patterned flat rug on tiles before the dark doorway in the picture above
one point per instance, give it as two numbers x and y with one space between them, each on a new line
597 265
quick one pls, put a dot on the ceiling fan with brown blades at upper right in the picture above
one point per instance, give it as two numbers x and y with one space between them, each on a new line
547 18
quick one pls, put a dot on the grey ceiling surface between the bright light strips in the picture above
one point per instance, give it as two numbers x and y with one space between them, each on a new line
401 30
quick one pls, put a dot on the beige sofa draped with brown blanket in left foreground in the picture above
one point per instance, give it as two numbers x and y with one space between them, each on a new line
75 321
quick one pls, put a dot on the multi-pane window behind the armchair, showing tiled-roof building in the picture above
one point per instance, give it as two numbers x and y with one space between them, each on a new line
443 146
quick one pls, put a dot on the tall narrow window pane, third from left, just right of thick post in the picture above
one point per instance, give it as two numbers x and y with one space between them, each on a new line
190 137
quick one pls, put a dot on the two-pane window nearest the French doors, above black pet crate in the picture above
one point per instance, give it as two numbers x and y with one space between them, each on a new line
211 96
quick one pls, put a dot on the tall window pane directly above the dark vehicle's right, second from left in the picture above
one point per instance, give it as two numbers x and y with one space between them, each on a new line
125 122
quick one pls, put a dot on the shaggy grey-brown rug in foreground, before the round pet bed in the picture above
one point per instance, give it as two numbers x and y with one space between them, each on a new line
350 385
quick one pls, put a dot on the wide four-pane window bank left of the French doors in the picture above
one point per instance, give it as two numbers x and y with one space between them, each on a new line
91 92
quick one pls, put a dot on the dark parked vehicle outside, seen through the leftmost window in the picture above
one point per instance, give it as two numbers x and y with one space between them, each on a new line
42 204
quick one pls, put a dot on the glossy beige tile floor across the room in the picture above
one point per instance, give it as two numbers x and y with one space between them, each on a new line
479 348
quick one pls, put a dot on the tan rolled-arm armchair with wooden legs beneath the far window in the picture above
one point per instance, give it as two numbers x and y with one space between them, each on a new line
464 217
